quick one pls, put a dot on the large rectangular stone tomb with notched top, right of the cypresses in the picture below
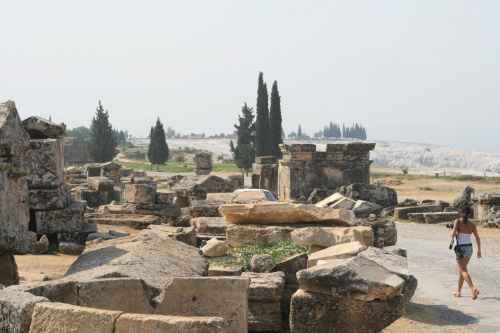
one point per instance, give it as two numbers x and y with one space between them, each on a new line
303 169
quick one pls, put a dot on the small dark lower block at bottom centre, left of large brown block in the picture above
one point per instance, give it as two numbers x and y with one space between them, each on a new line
264 317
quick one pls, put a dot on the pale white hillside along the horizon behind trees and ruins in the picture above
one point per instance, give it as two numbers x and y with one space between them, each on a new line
385 153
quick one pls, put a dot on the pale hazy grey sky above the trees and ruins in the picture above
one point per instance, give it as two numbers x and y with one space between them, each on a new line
411 71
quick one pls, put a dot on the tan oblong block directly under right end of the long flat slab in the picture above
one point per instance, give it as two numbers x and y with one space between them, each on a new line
328 236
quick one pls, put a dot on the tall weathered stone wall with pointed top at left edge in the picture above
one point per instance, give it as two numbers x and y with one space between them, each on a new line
15 237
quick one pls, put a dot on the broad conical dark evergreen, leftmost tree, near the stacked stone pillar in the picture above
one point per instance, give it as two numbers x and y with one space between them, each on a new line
101 145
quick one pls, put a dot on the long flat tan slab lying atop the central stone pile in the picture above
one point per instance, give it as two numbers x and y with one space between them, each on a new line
278 213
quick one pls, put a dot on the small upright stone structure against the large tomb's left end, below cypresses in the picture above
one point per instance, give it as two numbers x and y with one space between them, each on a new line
265 174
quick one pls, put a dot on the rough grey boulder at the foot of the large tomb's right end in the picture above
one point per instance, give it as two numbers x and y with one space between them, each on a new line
381 195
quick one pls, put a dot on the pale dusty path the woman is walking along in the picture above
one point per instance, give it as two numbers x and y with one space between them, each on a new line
433 307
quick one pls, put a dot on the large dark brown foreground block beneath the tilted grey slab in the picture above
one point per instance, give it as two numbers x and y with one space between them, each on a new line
317 313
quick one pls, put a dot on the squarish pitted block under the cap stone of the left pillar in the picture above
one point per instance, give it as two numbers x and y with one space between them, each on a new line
45 158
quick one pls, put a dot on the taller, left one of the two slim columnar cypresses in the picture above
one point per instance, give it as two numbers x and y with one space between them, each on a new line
262 121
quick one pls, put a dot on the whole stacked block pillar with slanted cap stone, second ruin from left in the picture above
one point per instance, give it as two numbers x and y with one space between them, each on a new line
51 209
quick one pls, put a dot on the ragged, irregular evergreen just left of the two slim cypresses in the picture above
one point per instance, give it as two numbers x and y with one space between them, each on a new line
244 152
